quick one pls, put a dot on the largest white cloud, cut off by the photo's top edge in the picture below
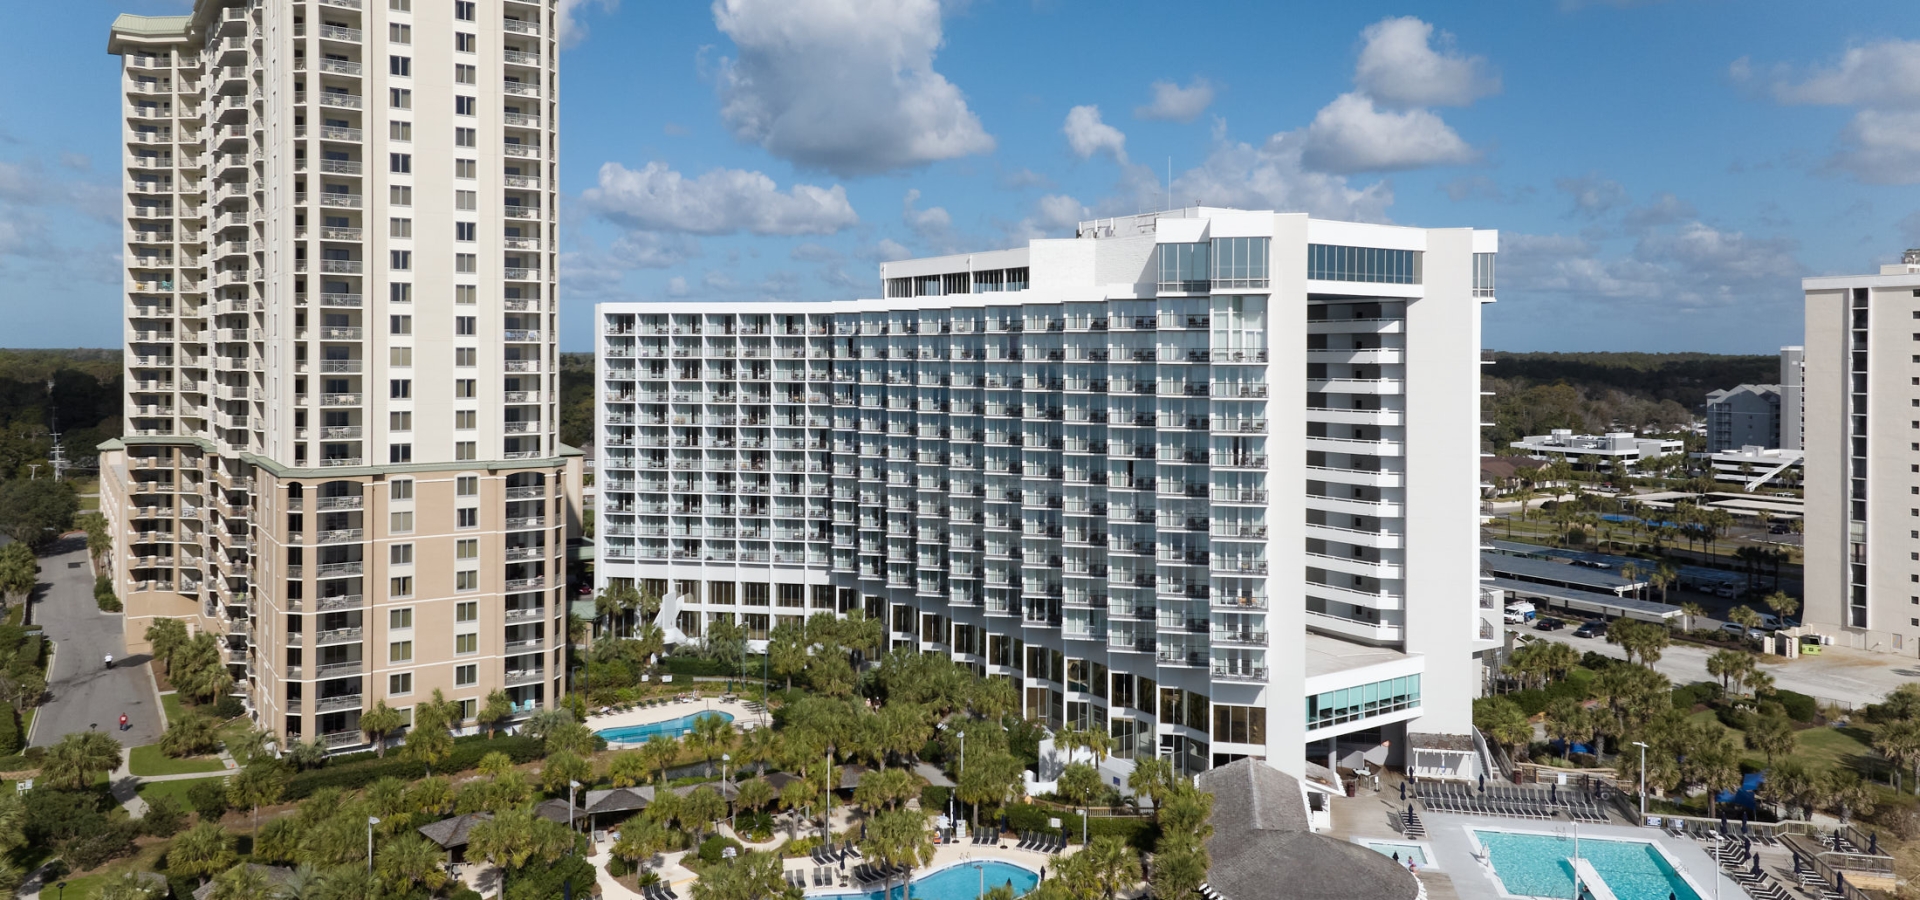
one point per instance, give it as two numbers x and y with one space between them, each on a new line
844 85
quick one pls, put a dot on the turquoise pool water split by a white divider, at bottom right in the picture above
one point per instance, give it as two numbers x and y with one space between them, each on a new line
1543 866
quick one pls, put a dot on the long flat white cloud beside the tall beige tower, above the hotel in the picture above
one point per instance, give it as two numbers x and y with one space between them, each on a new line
717 202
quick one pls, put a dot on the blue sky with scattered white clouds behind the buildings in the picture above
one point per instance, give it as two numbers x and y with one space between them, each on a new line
1664 174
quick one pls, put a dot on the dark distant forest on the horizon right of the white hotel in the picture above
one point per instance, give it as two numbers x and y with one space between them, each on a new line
1600 392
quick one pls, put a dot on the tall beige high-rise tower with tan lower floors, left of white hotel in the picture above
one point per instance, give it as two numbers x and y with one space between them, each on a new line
341 352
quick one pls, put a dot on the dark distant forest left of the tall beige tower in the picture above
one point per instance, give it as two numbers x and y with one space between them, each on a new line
80 391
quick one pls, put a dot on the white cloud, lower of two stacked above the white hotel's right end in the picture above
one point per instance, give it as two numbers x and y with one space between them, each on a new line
1351 135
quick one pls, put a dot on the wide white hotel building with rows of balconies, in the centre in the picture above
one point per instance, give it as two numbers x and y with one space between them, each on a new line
1201 479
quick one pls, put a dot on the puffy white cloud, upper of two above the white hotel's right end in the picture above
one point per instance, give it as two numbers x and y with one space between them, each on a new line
1399 66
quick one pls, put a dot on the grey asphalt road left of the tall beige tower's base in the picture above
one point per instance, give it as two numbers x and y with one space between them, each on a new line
82 692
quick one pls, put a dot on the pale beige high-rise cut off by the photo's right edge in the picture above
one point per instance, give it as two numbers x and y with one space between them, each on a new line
1863 456
